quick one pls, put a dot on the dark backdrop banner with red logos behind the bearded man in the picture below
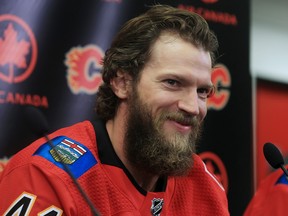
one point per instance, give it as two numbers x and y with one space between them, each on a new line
50 58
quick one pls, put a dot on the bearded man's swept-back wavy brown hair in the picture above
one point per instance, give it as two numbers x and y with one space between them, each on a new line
131 47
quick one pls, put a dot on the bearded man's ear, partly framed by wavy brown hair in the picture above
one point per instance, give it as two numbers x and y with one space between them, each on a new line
121 84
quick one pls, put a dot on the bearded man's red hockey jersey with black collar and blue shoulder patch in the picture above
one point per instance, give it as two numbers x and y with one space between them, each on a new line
35 182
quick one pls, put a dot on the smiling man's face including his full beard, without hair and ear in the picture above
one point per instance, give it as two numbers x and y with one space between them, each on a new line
167 107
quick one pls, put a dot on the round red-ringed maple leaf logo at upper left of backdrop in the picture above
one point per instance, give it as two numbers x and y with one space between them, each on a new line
18 49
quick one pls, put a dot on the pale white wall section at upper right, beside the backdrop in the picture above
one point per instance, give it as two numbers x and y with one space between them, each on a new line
269 40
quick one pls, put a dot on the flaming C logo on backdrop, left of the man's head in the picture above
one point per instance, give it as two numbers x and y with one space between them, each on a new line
84 65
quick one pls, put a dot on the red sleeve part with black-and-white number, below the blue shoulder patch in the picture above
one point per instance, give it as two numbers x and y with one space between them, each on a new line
27 190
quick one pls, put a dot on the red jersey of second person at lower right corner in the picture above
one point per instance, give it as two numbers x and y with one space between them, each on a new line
270 198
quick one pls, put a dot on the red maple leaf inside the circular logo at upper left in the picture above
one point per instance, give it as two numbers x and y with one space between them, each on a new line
12 51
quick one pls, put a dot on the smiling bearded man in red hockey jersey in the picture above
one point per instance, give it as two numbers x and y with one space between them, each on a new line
139 157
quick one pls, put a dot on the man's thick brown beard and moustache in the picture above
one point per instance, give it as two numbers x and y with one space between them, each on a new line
149 149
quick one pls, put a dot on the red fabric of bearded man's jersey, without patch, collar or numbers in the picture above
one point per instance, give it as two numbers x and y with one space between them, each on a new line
108 187
